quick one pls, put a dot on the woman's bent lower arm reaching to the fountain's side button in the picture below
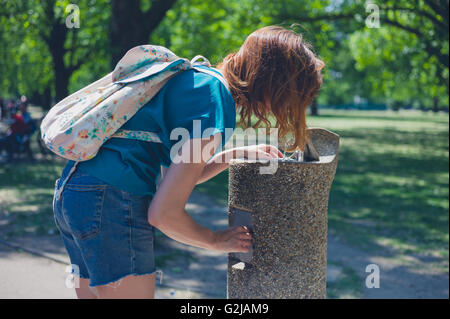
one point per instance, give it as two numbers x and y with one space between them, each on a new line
167 213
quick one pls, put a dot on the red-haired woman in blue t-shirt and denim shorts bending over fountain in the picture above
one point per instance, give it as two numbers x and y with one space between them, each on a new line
110 204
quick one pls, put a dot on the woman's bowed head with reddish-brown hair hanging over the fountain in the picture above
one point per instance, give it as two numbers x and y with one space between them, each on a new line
275 72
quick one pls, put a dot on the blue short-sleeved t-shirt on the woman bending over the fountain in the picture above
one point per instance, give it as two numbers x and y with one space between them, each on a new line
134 165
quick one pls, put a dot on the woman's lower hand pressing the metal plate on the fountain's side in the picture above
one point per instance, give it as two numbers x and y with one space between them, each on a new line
234 239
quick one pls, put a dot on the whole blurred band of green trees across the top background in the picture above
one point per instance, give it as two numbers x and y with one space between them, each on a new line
401 64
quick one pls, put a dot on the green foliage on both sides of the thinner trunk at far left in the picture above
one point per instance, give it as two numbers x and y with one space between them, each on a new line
27 65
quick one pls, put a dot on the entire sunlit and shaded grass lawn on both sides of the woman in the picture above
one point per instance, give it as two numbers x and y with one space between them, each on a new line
390 190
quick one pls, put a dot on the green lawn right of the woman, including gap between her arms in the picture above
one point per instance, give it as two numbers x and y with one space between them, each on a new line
391 185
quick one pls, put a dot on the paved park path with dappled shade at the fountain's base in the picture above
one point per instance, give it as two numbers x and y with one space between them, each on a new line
34 267
